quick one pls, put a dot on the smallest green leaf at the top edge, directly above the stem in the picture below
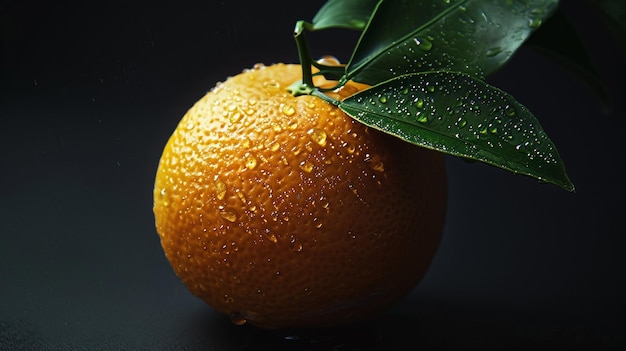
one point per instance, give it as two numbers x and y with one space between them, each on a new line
350 14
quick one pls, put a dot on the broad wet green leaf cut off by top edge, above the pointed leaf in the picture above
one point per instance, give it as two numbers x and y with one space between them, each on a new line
471 36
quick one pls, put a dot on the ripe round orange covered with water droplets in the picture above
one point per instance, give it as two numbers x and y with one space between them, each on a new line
284 212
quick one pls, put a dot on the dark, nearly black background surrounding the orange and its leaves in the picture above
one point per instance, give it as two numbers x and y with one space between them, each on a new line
89 93
